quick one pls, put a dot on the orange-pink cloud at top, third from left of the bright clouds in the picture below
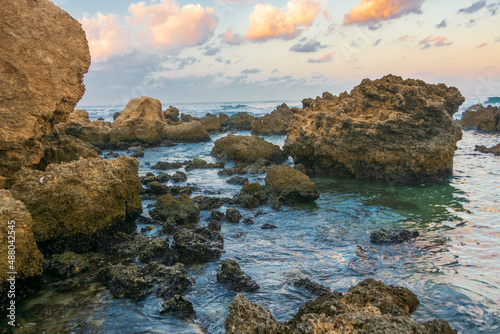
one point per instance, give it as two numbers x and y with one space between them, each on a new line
268 22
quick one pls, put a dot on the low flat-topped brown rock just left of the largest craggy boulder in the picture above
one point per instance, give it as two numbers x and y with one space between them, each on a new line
247 150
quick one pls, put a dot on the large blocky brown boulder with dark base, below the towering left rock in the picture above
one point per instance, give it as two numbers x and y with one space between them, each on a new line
74 204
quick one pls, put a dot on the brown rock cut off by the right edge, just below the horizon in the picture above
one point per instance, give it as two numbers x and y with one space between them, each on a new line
481 118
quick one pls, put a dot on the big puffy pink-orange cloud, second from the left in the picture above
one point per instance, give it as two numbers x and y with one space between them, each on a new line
172 27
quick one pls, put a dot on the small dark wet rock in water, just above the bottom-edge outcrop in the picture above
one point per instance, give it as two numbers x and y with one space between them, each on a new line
231 275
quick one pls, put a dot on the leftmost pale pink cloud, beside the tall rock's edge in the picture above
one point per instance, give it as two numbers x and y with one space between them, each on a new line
106 36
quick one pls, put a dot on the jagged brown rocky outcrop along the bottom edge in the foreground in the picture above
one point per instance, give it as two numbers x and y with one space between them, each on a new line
369 307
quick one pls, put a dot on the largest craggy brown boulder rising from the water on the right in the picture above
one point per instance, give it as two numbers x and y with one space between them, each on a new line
399 131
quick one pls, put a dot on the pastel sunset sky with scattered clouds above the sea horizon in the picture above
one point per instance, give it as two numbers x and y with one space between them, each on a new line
282 50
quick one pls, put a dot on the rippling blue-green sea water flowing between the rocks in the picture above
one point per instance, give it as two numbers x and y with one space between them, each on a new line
454 267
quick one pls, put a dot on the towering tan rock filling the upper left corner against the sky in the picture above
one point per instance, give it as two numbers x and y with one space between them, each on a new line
43 58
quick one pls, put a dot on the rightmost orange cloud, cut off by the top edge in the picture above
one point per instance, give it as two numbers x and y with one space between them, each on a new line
380 10
